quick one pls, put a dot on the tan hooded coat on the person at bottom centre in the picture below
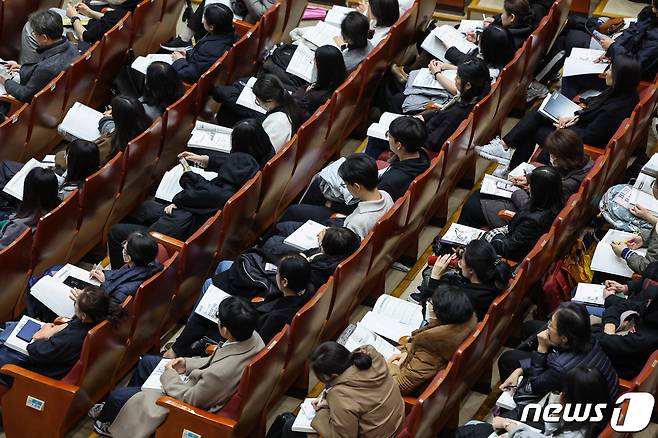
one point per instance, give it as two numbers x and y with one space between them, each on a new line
362 403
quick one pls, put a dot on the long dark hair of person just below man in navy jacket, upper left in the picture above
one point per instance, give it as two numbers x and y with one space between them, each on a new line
162 86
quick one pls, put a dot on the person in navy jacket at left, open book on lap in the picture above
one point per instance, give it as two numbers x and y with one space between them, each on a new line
139 257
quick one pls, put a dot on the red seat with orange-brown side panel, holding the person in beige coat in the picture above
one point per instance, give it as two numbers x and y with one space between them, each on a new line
244 413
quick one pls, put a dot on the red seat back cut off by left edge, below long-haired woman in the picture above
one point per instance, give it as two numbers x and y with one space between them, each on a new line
15 271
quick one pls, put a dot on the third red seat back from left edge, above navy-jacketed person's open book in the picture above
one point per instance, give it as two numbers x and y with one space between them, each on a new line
96 201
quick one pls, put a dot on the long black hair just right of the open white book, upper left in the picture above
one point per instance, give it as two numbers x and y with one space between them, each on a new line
130 121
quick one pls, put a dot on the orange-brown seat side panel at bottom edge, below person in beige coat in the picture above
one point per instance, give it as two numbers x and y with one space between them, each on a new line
183 416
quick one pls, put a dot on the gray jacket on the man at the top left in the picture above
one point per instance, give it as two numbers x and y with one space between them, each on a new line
35 76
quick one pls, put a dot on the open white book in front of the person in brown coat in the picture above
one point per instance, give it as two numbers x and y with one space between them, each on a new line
393 318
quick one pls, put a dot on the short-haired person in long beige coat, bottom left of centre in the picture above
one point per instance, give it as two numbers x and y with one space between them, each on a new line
211 382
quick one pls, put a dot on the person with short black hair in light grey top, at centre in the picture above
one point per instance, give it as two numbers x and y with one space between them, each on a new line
359 172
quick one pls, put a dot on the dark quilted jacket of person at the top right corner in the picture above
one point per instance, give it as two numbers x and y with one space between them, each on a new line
640 40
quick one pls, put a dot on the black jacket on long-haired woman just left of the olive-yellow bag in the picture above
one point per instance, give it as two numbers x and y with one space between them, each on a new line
525 229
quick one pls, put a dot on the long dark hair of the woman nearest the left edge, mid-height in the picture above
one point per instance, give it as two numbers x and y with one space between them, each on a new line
39 193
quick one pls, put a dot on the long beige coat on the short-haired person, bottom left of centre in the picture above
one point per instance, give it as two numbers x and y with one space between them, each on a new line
212 382
